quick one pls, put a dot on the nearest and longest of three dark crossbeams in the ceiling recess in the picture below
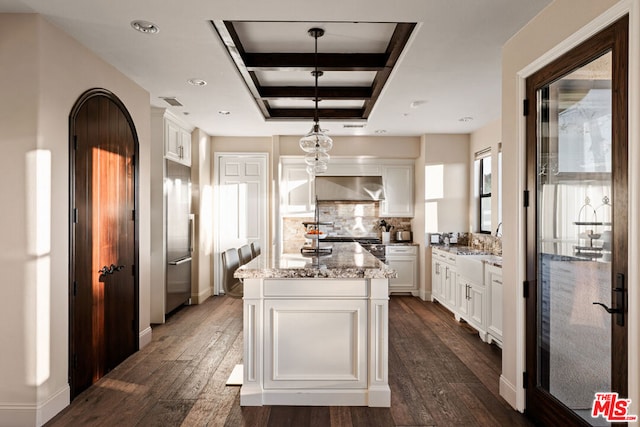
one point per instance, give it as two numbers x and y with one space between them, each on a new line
306 61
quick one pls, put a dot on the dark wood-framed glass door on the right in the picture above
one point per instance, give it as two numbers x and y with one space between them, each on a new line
576 237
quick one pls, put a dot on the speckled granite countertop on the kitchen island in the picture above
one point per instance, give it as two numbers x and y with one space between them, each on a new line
346 261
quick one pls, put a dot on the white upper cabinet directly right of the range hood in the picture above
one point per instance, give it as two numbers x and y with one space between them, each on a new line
398 187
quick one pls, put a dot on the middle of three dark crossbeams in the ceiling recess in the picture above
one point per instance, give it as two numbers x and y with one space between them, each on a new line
324 92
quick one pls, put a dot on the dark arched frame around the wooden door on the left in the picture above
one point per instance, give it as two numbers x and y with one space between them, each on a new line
89 94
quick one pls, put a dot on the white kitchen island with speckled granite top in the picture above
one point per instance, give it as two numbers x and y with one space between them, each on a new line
316 329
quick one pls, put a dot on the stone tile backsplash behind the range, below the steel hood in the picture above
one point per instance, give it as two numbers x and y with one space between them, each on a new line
360 219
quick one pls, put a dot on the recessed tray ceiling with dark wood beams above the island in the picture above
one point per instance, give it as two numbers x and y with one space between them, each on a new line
354 60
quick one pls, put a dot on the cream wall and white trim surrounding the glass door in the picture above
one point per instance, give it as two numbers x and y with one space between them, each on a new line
555 30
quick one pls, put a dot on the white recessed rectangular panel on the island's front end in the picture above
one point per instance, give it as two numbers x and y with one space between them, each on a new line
315 343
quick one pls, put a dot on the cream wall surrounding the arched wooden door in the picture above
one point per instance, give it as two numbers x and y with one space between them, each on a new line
44 72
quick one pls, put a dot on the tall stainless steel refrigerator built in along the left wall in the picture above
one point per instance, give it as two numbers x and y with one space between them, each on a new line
179 235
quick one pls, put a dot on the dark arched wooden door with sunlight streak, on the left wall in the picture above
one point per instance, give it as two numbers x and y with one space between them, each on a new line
103 280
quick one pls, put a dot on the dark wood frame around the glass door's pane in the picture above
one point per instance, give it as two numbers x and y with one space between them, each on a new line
539 404
